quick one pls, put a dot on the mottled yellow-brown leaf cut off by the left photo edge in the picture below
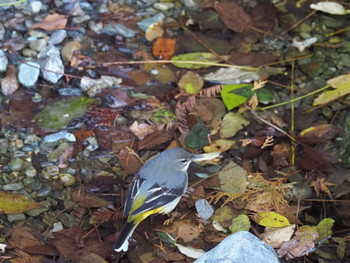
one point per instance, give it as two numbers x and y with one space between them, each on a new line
12 204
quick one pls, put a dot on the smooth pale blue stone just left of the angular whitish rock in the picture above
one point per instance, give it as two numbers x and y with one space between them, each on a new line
28 74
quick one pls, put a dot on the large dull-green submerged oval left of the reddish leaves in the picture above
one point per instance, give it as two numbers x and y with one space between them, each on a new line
59 114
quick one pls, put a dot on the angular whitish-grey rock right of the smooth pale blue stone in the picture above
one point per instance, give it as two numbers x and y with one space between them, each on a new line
51 63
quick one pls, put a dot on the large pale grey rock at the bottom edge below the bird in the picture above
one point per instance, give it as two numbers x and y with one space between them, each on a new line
242 247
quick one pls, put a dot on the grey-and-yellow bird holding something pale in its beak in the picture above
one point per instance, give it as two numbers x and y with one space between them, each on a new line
156 189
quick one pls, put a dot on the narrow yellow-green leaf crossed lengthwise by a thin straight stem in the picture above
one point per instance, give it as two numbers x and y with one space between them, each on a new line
197 57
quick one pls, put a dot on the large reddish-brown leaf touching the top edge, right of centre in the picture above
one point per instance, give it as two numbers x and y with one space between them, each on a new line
233 16
